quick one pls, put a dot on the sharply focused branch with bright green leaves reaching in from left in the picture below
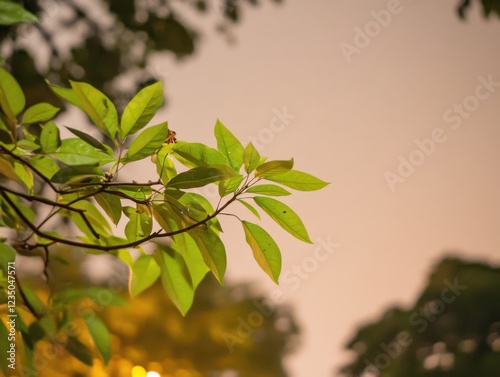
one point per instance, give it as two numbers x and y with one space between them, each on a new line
47 180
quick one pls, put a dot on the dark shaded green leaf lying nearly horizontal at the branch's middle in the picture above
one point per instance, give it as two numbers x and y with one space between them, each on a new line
198 177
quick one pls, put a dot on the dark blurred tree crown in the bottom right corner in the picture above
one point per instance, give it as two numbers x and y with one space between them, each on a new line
453 330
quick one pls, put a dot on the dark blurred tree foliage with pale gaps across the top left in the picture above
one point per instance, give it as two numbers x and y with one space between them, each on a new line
106 42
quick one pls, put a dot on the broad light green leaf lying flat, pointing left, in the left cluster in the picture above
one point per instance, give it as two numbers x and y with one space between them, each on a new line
76 152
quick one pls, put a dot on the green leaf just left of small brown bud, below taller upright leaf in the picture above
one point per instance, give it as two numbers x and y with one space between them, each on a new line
147 142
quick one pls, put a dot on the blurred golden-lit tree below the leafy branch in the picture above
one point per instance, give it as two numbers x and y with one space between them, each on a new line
229 331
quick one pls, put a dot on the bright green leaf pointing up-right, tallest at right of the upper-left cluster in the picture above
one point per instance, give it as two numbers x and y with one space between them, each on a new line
141 109
